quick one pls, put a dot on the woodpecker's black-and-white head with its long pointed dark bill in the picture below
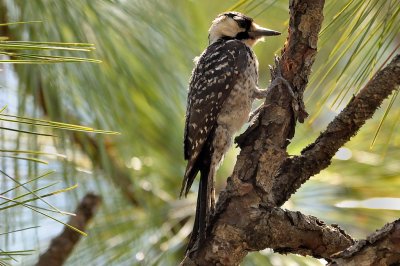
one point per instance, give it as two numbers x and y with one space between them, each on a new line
235 25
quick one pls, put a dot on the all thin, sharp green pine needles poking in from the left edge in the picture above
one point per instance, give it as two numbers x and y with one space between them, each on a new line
19 52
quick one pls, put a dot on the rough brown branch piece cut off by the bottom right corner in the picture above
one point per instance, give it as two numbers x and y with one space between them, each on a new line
380 248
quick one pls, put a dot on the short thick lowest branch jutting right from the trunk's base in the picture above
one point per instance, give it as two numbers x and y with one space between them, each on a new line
304 234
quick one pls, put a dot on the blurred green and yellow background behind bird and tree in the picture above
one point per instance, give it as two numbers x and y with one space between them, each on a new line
139 89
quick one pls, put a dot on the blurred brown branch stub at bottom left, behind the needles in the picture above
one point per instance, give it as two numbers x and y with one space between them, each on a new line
61 246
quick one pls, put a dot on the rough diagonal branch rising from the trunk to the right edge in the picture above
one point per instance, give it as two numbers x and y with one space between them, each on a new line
318 155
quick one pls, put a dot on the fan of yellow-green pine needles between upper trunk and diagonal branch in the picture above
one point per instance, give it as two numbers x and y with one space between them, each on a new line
359 39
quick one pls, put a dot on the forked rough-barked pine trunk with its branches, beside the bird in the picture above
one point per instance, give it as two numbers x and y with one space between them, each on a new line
247 216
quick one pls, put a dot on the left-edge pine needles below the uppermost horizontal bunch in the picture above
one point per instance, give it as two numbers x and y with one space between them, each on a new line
15 193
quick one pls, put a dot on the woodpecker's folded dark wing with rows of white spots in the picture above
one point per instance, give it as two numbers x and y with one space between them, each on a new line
212 81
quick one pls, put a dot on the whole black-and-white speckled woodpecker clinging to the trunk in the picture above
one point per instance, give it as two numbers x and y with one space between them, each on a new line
223 85
